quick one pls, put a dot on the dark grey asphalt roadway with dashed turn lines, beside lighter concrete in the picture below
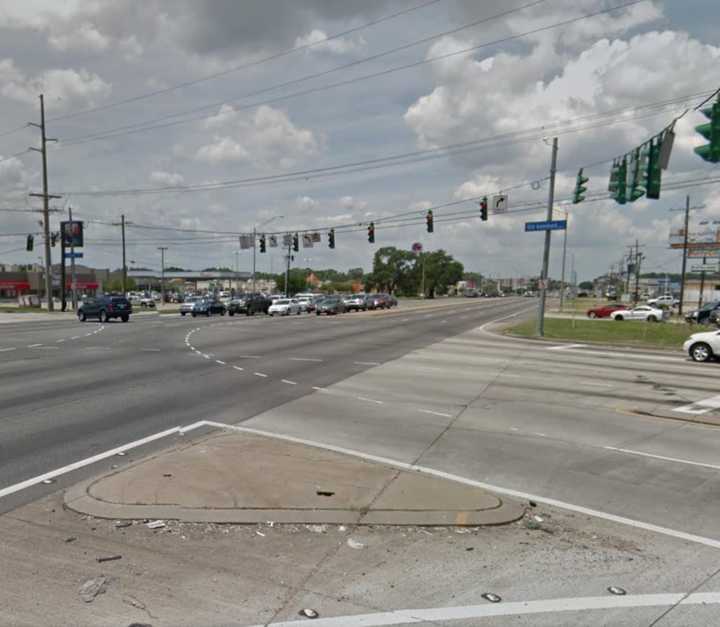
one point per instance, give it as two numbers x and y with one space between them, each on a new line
71 390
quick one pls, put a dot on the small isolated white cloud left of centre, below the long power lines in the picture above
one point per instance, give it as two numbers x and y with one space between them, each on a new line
267 138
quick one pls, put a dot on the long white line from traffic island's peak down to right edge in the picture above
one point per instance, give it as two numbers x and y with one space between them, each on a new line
525 496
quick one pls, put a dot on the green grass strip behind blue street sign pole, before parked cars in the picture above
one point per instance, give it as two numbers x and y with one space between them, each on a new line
660 335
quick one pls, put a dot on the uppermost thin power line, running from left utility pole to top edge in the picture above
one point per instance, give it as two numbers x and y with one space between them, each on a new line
244 66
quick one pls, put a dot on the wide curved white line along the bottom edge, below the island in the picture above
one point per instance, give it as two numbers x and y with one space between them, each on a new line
516 608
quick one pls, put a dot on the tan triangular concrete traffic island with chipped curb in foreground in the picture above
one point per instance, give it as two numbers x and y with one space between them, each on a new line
246 478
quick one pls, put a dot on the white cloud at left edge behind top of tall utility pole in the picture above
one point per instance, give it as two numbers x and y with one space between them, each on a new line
64 87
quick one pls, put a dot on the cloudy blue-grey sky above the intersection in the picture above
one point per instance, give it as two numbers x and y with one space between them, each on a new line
192 94
